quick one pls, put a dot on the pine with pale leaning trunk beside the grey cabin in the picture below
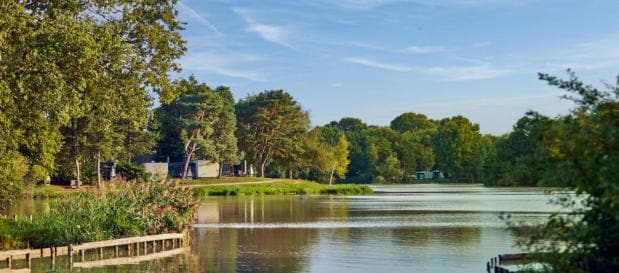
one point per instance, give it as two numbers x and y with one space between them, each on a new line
199 124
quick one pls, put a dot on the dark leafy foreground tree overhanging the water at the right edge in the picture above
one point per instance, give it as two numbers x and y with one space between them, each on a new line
585 155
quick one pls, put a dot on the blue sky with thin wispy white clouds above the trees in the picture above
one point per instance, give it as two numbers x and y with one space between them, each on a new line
376 59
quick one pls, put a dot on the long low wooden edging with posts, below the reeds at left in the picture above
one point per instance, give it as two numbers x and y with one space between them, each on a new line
137 246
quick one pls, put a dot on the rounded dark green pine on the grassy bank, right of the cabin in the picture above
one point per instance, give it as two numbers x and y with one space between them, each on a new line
270 126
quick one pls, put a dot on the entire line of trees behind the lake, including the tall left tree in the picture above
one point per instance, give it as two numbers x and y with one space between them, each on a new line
77 86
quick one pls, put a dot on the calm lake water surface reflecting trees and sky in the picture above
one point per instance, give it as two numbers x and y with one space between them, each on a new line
413 228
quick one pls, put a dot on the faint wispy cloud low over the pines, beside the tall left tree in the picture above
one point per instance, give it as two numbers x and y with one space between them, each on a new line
223 64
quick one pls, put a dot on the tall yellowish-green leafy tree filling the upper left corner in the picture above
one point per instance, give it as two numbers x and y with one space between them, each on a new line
61 60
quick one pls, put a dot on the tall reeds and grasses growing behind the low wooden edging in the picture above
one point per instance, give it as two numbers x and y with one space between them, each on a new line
124 210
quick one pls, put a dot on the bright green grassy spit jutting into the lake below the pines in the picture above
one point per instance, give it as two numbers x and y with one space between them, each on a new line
280 186
